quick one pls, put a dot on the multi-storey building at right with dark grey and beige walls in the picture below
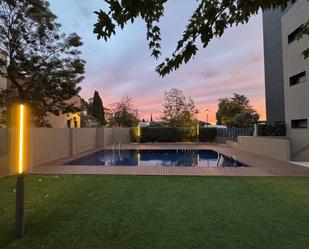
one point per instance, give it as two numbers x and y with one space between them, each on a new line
295 74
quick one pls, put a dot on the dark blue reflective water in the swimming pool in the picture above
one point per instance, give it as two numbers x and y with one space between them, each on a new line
163 158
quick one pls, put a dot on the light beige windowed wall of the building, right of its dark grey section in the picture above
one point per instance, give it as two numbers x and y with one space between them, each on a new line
297 96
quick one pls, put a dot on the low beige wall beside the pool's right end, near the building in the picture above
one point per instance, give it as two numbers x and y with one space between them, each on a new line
277 148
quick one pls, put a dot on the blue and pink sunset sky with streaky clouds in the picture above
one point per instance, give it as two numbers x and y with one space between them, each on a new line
123 65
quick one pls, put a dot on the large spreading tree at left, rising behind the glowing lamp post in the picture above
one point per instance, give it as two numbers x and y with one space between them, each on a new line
42 64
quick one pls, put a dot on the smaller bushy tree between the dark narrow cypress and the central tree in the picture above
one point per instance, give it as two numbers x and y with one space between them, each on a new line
124 113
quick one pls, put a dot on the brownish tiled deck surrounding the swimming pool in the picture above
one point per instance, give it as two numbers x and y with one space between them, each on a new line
260 165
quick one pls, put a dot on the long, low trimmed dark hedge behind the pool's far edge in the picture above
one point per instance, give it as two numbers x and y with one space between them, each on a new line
169 134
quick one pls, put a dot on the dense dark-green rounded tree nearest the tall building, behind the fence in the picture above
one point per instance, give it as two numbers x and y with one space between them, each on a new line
236 112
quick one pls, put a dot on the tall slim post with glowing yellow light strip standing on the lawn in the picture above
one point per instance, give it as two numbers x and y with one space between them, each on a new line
19 214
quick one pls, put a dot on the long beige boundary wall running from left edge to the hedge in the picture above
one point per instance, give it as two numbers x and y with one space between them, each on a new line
50 144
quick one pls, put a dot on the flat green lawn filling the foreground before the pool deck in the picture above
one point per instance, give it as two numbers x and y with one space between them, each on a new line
158 212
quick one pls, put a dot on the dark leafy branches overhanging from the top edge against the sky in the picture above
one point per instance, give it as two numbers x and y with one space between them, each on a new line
210 19
